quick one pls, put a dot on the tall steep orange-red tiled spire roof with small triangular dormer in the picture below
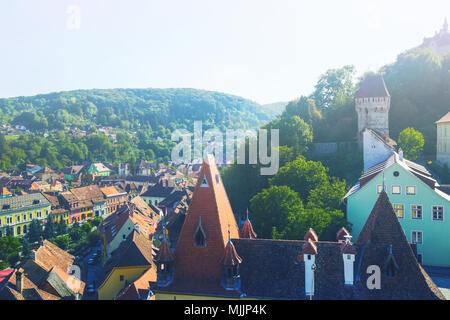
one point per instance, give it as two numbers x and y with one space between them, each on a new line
210 204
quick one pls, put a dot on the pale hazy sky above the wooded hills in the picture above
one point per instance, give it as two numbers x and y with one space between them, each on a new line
266 51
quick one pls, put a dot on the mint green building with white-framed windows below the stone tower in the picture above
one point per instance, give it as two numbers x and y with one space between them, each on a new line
421 205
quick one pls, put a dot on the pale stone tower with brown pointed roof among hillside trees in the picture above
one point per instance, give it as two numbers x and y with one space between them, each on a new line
372 105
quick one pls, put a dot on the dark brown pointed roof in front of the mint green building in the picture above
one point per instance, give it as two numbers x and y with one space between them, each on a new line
381 235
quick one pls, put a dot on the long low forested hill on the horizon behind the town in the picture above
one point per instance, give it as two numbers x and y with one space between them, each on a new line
133 109
